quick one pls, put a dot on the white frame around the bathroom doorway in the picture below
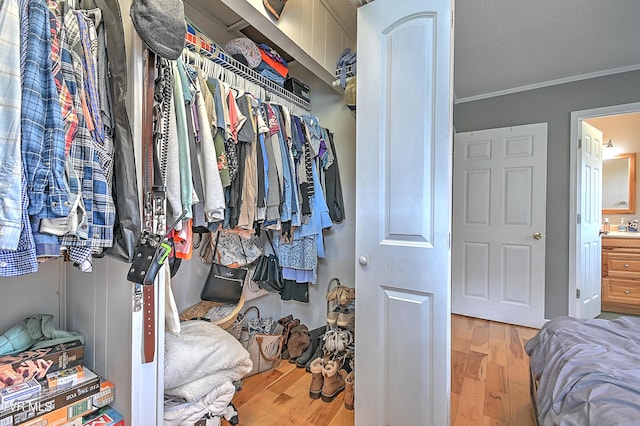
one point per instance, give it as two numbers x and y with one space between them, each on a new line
574 208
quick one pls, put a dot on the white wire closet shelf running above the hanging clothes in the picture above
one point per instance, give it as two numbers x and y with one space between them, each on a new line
212 51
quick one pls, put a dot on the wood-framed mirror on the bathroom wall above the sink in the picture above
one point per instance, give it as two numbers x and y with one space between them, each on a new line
619 184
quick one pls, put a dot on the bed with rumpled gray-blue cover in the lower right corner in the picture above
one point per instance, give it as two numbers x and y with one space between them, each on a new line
586 372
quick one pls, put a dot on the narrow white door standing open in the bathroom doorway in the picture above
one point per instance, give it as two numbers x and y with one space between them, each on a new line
589 280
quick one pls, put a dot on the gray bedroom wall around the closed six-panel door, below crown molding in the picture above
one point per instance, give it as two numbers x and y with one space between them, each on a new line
552 105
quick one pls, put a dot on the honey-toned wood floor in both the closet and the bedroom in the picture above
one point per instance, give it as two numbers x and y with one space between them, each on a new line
489 384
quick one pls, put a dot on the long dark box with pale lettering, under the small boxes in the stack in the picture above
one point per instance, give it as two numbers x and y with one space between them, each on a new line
51 400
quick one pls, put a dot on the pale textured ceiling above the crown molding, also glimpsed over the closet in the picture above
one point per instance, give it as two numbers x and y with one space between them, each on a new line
503 46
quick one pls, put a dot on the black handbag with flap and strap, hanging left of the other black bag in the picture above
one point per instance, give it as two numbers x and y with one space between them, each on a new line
223 284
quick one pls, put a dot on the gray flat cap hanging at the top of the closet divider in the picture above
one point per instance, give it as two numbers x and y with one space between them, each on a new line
160 24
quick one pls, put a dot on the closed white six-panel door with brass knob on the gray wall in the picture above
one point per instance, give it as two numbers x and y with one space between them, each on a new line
499 208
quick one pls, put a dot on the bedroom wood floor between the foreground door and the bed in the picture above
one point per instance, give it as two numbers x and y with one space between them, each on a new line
489 373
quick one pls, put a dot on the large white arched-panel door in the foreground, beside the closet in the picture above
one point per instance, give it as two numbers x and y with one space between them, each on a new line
403 213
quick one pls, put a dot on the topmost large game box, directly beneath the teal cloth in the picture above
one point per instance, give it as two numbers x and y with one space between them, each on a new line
37 363
